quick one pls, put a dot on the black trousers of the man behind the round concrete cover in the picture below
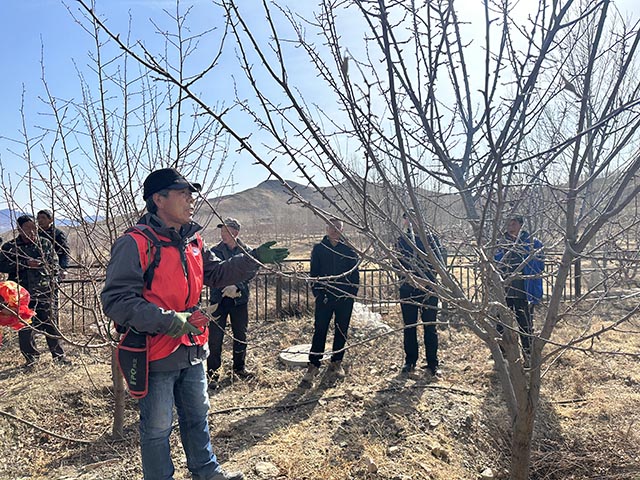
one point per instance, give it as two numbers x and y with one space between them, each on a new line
342 309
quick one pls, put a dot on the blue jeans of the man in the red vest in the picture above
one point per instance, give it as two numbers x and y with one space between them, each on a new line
187 389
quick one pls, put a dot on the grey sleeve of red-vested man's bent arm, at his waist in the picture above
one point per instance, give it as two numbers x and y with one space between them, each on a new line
121 296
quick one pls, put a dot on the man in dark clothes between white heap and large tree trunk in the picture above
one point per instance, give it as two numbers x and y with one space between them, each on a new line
418 301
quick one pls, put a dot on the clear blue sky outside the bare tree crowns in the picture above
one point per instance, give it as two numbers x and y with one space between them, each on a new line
35 29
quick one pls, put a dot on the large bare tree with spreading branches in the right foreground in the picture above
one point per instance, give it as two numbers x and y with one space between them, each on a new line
420 112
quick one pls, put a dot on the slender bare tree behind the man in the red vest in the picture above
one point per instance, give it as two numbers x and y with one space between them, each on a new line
87 161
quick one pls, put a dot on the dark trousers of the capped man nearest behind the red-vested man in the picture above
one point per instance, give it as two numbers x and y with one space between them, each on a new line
239 324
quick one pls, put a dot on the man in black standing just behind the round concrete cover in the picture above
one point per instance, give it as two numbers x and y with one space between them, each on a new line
332 257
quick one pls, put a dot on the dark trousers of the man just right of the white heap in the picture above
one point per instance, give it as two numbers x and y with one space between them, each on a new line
427 306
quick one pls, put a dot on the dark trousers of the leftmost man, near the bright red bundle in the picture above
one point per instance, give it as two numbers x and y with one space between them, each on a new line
44 321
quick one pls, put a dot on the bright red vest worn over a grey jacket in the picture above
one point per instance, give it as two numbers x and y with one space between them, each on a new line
172 288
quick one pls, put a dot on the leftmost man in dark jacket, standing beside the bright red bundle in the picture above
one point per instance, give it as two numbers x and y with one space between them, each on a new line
31 261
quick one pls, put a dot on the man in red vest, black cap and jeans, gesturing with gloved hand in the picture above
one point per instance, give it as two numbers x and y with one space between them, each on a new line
164 308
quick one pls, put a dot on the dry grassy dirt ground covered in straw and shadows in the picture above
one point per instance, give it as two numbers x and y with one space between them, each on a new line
55 421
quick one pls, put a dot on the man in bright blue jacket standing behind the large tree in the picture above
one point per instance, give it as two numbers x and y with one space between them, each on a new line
520 259
